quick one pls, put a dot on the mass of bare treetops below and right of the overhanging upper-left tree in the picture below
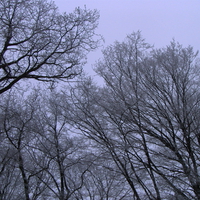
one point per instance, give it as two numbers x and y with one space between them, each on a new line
135 137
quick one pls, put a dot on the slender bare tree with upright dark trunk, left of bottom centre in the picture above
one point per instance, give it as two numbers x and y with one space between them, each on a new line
64 151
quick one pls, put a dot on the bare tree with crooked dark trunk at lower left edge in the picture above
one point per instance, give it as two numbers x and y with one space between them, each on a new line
19 169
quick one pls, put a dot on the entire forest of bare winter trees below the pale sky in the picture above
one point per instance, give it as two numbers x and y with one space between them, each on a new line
64 136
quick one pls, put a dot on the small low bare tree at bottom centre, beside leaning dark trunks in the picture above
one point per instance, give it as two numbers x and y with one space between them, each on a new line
104 181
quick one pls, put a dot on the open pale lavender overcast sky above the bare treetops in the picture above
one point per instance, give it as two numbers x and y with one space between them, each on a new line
158 20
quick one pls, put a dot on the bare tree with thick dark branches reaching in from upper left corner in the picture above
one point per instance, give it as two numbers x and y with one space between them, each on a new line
37 42
